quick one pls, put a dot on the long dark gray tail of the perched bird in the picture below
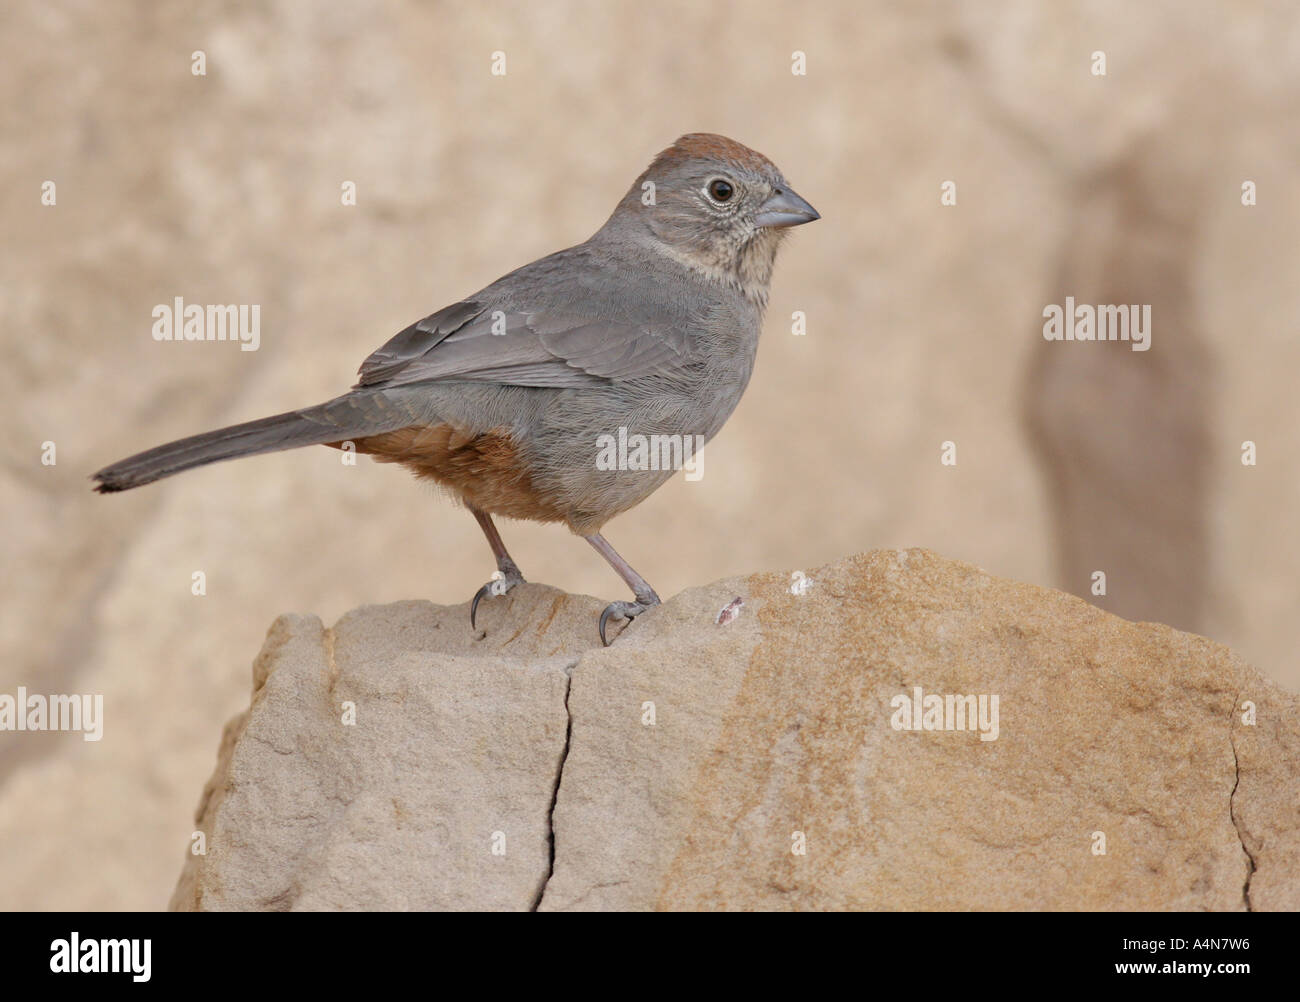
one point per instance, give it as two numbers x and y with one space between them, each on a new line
352 417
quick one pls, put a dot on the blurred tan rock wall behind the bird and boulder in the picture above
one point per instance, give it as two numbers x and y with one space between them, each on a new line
924 327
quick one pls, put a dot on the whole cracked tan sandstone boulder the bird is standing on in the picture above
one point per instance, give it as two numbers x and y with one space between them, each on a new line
688 765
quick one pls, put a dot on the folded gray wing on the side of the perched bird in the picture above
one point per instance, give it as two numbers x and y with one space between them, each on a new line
469 341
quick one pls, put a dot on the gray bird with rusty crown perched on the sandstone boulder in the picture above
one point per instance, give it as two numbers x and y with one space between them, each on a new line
648 328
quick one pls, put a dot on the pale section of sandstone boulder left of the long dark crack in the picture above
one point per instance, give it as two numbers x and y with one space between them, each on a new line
454 751
